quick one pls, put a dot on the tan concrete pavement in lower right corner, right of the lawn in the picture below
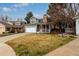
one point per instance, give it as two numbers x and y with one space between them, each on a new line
70 49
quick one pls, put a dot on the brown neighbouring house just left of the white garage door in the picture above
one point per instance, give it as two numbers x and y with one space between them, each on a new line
18 26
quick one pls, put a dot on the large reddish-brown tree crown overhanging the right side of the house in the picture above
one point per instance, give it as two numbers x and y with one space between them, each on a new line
62 14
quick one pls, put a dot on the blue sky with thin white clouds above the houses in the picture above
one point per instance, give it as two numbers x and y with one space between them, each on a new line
19 10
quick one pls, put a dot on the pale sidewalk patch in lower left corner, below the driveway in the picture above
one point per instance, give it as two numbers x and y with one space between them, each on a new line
6 50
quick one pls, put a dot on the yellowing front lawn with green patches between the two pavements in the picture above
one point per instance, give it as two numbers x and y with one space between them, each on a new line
38 44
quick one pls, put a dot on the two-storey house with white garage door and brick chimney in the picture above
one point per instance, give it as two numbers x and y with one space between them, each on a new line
38 26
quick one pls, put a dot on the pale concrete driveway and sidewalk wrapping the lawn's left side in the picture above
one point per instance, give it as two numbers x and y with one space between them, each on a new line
6 50
